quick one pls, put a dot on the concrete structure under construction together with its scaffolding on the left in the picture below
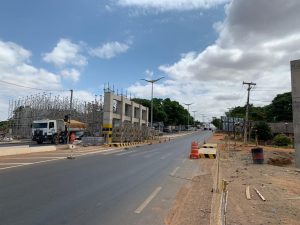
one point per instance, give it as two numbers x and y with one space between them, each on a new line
117 118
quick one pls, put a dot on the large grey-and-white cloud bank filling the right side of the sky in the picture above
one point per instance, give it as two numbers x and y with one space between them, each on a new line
256 42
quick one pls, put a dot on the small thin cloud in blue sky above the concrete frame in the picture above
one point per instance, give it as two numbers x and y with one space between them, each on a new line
109 50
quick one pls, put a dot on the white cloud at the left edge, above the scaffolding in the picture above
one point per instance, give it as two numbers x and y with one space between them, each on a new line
15 68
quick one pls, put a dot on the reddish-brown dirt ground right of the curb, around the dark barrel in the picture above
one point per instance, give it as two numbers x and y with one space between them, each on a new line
280 186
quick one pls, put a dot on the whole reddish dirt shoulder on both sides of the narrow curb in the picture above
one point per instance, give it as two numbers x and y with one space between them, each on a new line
279 185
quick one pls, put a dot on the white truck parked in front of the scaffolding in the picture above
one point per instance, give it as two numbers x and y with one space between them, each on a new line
46 130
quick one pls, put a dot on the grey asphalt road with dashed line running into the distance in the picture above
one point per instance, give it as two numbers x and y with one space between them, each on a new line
120 187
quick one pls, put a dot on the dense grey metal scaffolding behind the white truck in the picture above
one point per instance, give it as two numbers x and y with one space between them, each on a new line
24 111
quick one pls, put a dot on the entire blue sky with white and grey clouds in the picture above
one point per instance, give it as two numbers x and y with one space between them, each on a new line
204 49
